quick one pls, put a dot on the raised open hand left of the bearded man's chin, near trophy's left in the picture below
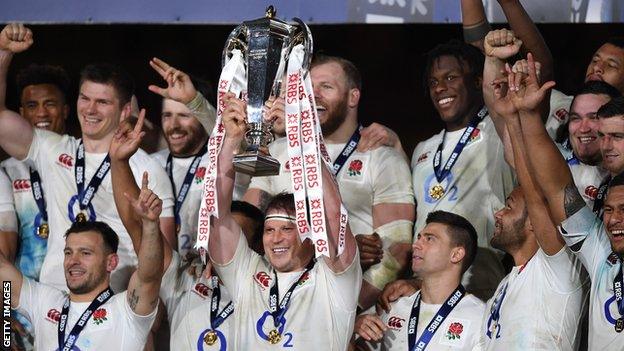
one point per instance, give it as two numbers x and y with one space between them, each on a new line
127 138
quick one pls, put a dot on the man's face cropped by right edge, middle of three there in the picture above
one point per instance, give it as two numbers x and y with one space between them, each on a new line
611 135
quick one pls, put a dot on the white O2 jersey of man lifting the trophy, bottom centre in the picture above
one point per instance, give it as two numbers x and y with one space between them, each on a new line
322 308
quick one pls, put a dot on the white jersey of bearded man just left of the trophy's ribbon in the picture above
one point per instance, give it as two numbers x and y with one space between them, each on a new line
190 207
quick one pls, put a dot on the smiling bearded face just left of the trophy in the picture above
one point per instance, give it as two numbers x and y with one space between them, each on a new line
185 135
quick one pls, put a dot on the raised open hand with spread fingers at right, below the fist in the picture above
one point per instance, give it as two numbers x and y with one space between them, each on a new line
526 92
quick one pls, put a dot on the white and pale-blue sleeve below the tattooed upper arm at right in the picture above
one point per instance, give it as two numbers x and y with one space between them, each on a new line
584 233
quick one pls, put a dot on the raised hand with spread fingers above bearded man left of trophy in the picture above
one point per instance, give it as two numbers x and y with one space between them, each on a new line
179 85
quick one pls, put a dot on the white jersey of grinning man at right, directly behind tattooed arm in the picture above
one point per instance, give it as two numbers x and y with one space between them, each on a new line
587 178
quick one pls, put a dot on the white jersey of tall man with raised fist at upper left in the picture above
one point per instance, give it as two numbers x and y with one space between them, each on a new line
54 155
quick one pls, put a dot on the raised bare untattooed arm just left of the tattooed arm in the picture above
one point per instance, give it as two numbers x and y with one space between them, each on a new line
543 227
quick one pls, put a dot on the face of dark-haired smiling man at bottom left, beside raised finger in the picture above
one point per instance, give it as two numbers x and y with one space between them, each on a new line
86 264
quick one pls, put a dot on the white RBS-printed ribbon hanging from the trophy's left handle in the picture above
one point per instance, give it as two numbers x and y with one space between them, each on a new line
233 79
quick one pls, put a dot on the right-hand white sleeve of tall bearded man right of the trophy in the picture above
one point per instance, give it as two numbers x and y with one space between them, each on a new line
392 181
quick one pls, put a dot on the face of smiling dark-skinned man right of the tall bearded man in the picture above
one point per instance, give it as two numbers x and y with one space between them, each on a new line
452 90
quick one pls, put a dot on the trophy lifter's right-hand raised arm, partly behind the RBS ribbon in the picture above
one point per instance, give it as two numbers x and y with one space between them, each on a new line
333 202
